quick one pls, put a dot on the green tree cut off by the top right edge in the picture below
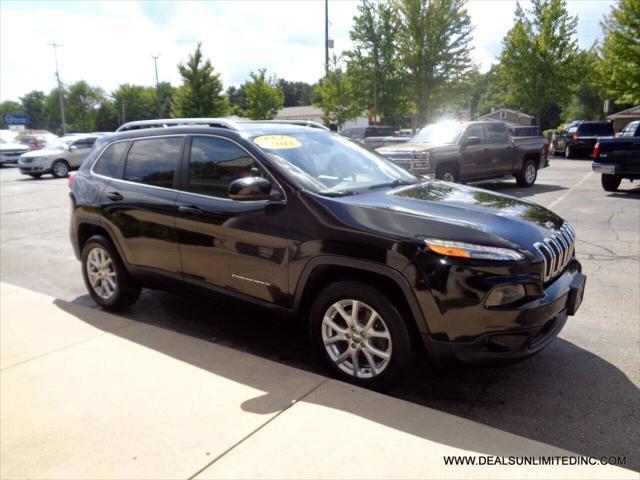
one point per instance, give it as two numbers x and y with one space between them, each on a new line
620 68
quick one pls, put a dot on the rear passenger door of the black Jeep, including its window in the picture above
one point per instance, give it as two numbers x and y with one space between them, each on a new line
140 203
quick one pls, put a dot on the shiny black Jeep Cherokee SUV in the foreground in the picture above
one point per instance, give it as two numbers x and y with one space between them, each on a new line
304 221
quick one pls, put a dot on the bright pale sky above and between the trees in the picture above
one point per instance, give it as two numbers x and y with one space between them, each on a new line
111 42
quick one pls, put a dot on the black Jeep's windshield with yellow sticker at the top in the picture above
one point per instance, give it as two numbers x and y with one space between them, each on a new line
328 163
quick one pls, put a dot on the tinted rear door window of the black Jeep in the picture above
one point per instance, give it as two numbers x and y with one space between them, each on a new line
153 161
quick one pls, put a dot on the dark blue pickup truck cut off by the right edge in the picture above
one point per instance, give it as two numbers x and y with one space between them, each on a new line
618 158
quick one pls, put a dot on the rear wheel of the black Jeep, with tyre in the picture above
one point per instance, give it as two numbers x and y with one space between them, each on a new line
105 277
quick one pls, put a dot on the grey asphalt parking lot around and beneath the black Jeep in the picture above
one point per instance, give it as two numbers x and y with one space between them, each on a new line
580 394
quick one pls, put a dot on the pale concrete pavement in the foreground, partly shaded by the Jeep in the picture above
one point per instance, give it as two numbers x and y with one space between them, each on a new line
87 394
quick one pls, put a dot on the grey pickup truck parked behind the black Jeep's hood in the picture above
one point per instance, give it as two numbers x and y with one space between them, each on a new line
470 152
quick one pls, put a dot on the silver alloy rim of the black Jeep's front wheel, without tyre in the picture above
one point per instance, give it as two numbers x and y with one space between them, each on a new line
356 338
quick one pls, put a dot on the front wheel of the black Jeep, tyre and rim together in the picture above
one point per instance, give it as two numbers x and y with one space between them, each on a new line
359 335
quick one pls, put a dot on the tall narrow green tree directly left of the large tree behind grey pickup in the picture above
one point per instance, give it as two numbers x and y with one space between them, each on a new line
374 64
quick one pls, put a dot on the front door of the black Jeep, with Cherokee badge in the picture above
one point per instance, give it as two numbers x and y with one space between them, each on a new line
234 245
